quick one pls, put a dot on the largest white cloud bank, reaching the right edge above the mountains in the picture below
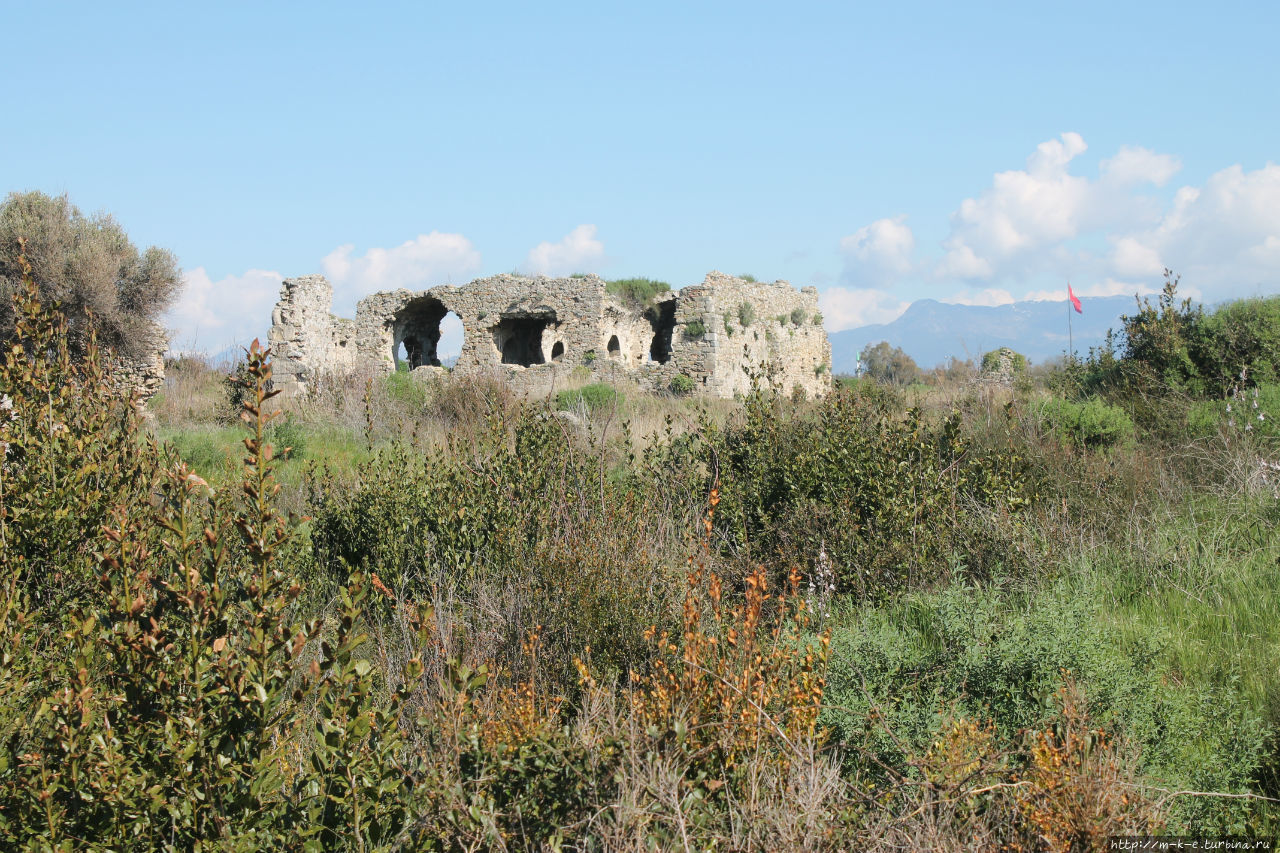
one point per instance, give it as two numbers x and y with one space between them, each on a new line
1044 223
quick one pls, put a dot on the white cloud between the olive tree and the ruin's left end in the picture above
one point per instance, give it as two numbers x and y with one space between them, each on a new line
211 317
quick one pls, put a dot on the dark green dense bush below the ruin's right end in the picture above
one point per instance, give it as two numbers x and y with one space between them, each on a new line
892 503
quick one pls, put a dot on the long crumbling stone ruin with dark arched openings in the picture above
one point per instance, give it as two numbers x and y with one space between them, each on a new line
536 332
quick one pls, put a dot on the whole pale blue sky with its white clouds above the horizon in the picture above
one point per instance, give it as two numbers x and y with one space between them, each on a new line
884 153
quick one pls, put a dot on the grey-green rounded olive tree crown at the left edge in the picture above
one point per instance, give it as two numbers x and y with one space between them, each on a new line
88 267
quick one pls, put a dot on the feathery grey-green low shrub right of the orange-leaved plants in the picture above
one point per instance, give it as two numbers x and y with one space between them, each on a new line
999 655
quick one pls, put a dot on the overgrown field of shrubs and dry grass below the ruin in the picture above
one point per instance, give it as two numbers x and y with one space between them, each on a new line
406 615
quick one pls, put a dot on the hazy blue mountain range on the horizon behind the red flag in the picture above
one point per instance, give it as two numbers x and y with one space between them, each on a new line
931 332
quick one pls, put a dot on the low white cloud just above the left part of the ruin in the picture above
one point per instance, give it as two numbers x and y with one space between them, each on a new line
417 264
